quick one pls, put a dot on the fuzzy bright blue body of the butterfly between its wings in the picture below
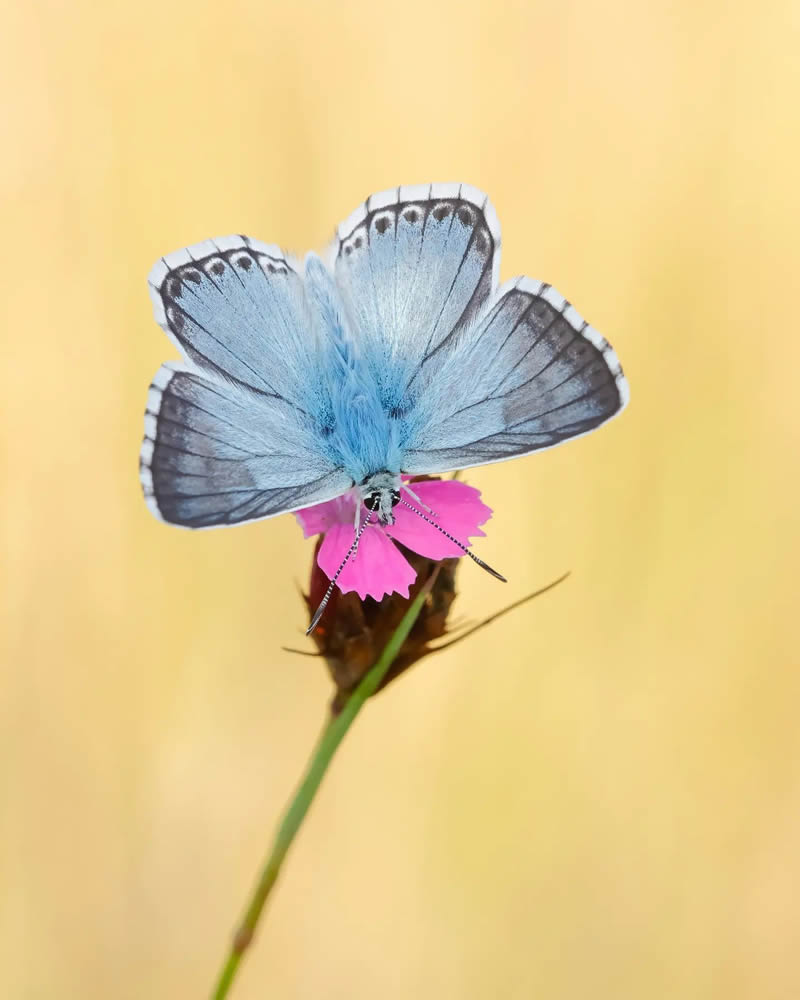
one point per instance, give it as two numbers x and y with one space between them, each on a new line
353 420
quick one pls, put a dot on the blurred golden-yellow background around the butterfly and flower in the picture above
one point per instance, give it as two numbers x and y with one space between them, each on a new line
598 796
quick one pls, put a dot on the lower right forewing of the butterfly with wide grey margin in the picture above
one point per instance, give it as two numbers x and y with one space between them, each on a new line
530 374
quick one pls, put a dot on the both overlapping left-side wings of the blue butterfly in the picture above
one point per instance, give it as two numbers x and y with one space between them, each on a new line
229 437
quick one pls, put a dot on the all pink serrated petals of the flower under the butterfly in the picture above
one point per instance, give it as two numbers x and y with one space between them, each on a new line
378 567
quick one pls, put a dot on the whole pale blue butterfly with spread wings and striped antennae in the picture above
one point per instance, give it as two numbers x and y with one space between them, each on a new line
394 353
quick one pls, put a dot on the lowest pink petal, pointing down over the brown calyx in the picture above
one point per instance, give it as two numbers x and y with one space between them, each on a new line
377 569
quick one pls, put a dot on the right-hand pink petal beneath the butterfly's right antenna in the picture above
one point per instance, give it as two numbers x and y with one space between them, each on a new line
459 512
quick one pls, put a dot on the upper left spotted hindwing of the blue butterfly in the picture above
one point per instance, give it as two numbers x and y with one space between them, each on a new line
235 307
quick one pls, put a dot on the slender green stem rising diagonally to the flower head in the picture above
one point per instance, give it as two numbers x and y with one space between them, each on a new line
332 736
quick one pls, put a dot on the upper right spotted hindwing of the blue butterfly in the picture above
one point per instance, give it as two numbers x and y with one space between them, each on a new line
415 265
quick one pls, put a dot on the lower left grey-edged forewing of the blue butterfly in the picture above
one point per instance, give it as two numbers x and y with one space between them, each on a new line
217 454
